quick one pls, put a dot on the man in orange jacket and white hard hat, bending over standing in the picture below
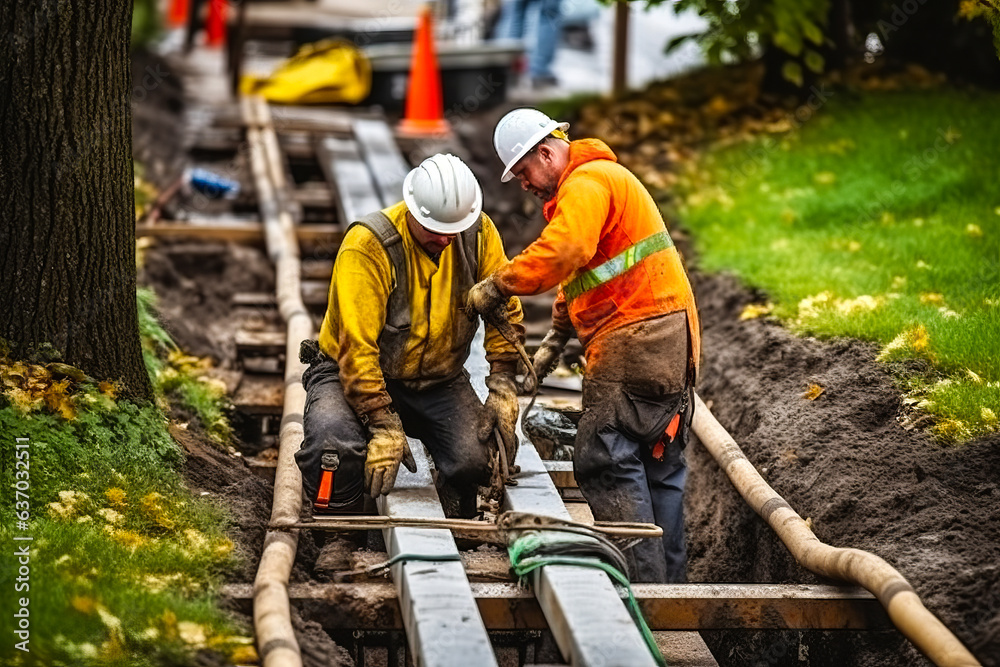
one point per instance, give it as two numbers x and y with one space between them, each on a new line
624 290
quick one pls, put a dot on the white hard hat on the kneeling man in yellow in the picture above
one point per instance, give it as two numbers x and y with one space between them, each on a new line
443 194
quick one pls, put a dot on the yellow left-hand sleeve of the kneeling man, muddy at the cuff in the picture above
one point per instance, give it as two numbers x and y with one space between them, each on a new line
361 292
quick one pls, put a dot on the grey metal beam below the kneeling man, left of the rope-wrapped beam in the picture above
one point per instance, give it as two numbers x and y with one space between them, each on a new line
443 625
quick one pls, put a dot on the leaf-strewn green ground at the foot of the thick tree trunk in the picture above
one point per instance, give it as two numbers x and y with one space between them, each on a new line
125 563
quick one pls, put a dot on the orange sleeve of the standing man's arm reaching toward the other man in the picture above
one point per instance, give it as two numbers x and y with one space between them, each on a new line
567 243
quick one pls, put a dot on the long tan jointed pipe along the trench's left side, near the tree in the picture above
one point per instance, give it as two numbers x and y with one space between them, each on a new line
276 641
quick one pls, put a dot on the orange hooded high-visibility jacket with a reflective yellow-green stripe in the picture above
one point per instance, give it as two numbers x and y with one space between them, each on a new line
607 247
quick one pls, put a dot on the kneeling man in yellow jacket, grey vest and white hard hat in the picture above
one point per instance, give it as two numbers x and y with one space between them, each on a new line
394 342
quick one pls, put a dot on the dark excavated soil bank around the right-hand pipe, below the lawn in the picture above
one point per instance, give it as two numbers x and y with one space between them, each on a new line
932 511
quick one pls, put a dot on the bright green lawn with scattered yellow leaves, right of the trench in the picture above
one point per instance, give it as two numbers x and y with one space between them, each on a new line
879 219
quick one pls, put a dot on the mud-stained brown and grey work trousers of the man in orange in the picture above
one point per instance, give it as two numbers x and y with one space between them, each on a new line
627 404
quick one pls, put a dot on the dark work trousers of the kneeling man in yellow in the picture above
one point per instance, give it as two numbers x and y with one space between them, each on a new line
442 417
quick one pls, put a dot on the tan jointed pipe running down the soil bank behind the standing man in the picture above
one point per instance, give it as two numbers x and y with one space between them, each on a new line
905 609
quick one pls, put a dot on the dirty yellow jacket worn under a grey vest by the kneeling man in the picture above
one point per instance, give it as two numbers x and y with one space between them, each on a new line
437 345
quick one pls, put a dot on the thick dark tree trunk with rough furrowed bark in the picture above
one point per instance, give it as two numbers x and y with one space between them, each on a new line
67 238
